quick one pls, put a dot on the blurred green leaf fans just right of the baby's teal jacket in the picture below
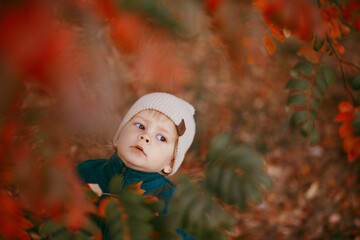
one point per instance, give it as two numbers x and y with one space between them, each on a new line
234 176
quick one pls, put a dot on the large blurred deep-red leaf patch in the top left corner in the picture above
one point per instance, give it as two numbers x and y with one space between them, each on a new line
34 43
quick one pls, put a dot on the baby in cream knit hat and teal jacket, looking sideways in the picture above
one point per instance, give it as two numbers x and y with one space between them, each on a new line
150 144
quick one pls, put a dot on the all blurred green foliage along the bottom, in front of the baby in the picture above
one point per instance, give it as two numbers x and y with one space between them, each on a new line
234 176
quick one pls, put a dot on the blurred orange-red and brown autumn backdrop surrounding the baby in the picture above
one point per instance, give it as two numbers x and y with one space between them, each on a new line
71 69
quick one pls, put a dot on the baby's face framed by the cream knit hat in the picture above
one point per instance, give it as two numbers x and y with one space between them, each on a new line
147 142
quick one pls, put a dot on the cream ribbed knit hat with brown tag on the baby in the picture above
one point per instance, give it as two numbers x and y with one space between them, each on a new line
178 110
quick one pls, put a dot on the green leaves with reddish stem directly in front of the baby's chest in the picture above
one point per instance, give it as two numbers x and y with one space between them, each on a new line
130 216
